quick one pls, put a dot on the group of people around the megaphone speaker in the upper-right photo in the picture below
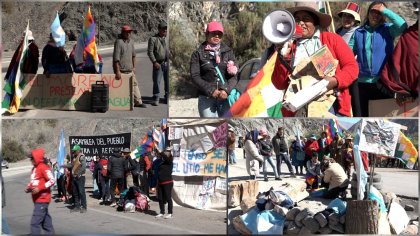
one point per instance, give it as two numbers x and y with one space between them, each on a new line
369 68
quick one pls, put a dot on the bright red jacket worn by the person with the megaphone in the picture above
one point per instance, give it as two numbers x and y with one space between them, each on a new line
347 71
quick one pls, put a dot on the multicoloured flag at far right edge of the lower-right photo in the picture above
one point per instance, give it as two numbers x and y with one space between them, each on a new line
406 151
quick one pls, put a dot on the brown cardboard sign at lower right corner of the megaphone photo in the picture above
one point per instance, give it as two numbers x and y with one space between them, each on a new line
389 108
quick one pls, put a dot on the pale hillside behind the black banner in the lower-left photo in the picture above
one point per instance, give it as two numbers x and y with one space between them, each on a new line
21 136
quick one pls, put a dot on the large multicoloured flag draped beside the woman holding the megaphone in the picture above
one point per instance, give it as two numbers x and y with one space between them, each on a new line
261 98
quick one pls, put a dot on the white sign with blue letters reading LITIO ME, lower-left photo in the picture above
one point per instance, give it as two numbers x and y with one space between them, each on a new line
196 162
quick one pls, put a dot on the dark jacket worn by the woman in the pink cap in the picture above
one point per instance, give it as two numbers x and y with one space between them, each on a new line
204 74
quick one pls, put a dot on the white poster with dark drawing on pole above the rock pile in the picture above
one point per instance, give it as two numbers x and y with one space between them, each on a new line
379 137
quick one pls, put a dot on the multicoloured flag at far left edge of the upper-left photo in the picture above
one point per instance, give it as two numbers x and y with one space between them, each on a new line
11 101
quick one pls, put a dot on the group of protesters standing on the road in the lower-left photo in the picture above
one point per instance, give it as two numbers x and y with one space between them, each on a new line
117 173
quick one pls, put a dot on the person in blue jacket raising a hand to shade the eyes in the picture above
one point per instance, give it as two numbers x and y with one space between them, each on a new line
373 44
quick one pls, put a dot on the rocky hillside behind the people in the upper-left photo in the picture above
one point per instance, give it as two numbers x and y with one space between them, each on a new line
144 17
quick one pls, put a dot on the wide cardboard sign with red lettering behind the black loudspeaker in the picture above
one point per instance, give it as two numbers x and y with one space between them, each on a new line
73 91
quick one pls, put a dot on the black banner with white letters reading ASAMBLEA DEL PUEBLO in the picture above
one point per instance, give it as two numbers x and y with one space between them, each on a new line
100 145
